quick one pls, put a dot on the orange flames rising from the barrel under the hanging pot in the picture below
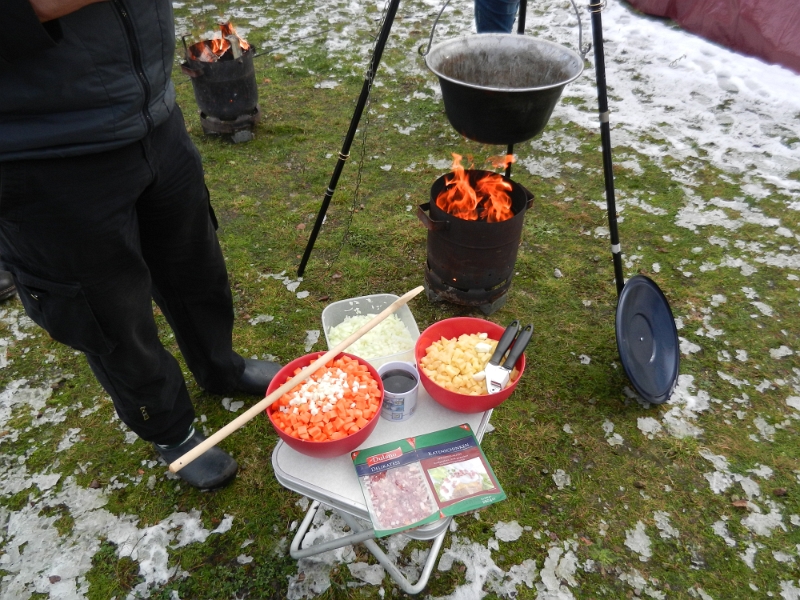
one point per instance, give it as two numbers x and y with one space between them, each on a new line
488 200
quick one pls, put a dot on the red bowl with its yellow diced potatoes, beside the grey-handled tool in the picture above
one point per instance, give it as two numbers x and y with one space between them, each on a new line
461 401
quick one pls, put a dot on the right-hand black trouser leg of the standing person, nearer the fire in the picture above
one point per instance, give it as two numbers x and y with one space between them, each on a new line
180 245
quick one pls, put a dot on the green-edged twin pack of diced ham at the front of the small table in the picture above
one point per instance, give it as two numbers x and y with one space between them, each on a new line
418 480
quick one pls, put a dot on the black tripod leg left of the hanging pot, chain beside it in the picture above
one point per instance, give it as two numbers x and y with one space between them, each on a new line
351 133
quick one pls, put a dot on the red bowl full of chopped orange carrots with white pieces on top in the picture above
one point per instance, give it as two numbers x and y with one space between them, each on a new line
333 411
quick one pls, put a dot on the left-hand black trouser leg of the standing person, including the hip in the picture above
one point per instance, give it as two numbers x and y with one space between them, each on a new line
69 232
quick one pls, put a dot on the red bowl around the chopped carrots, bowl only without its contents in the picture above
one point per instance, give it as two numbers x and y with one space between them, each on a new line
330 448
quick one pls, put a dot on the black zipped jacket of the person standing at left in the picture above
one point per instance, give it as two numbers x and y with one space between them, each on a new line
93 80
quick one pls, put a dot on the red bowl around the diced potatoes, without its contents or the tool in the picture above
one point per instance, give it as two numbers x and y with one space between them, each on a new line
452 328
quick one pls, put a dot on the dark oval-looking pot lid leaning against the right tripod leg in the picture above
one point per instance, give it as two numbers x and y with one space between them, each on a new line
647 339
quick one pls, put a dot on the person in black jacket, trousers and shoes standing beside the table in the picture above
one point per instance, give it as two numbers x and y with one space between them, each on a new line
103 209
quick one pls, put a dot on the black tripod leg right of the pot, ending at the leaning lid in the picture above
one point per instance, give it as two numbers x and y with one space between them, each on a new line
595 8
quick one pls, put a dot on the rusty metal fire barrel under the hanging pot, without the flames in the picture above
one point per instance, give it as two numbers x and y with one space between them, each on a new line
471 263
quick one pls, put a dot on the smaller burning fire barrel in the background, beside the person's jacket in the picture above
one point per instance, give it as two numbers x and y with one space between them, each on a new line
224 82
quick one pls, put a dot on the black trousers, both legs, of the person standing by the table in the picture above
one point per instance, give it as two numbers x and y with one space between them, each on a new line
92 240
